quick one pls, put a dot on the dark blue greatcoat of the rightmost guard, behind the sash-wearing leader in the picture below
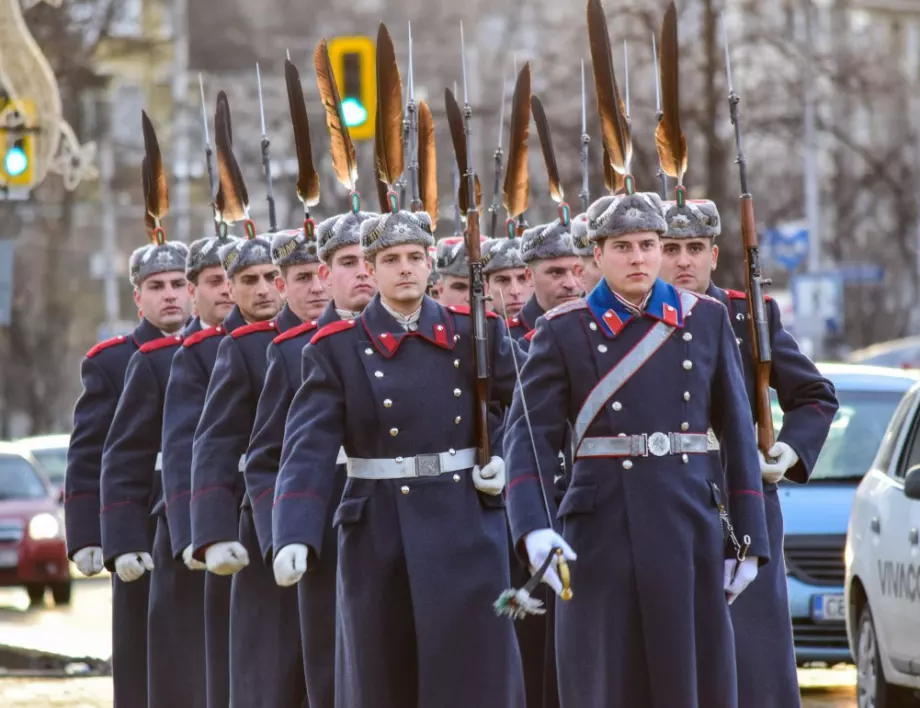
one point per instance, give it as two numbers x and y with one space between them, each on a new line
763 630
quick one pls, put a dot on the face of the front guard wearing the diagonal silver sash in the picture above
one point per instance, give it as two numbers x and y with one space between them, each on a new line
630 263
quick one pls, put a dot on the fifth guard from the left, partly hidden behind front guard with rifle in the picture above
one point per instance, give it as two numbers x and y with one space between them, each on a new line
351 288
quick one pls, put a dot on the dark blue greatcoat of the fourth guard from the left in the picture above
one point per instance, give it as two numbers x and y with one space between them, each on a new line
262 615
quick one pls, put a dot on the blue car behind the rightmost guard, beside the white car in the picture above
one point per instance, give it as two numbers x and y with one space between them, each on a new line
816 515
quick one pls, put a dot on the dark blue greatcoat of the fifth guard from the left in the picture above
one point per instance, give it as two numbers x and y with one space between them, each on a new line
316 592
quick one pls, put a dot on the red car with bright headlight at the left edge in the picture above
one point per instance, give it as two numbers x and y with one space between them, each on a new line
33 553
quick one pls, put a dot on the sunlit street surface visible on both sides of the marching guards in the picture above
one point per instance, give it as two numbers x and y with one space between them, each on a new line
84 630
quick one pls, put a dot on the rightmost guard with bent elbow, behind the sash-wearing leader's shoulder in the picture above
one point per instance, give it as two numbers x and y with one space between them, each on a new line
764 646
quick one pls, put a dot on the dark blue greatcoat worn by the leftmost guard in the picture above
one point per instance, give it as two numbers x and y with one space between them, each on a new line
103 375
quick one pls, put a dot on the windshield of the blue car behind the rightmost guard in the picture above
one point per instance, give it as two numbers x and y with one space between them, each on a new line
855 434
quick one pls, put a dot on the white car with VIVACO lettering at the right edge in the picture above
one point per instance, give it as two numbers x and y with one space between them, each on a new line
882 585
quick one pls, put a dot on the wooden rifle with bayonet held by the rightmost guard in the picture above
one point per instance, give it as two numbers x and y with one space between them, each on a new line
754 280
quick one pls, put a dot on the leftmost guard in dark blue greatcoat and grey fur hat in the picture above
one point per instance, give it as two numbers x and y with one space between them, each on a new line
156 273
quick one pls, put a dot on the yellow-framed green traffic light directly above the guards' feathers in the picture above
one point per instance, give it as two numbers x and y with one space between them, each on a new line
354 63
